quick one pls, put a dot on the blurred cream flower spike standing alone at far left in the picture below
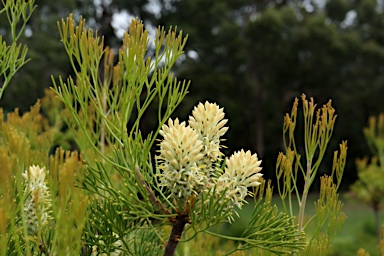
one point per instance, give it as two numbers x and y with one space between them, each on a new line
38 203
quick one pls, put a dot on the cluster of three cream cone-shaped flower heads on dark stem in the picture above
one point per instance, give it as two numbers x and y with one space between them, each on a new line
189 155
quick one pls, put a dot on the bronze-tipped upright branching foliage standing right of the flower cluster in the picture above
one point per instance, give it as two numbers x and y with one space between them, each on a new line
318 128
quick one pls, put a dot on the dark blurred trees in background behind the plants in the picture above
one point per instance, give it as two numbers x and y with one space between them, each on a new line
252 57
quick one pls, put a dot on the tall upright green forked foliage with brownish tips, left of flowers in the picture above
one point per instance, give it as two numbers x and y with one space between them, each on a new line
112 101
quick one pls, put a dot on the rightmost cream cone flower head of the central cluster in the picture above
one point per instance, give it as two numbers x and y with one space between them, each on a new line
241 172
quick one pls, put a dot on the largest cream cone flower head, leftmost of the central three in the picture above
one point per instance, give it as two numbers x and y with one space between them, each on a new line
180 156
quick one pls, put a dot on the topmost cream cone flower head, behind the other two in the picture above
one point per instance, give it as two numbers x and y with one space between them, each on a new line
207 120
